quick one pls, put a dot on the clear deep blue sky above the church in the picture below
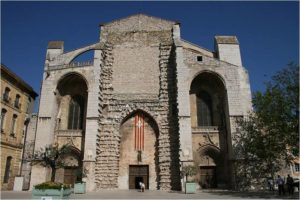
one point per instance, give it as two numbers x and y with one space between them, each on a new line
268 32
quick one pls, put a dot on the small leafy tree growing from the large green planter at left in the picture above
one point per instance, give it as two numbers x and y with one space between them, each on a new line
51 156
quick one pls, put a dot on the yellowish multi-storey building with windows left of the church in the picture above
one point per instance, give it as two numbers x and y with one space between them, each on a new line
17 102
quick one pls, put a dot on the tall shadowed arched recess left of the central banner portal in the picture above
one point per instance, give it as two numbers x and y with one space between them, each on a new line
71 96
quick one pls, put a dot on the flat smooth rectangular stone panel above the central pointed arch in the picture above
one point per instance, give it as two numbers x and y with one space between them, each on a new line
136 74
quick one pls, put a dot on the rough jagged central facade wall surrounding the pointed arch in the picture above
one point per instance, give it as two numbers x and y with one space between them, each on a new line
115 106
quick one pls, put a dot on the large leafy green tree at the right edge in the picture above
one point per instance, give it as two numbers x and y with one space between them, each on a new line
268 138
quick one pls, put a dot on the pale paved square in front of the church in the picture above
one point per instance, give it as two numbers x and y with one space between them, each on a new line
134 194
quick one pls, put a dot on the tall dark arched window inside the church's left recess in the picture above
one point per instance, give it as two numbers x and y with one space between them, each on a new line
75 113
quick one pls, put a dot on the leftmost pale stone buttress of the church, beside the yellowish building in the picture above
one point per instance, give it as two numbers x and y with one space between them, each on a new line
46 119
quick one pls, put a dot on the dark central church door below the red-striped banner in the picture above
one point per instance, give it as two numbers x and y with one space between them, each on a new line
137 174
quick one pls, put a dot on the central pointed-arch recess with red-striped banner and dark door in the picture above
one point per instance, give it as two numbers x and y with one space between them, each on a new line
138 164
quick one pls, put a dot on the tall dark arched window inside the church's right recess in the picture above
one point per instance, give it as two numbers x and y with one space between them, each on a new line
204 109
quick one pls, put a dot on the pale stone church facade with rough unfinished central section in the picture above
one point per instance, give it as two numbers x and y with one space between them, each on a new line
148 103
